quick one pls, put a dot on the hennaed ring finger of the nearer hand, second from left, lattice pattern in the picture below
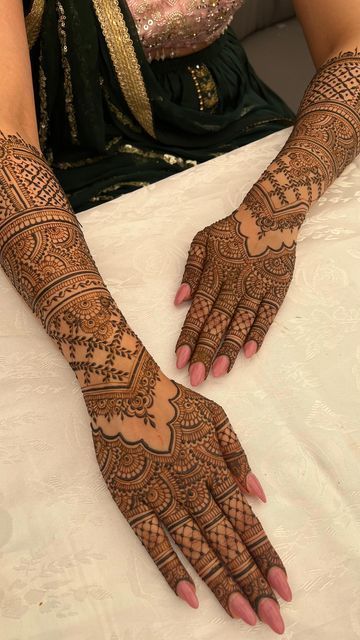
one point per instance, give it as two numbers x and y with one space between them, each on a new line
187 535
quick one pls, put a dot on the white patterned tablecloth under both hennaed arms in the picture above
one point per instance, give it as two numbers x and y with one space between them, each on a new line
71 567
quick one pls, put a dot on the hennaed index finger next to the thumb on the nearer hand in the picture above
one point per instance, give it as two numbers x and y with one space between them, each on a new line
237 509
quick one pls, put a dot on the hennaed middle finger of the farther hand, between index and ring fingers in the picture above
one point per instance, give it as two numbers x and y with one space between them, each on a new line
213 330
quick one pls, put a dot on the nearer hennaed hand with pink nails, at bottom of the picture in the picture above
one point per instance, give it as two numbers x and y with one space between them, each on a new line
170 458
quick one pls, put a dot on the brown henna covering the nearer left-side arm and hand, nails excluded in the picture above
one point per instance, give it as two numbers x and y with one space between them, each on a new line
168 456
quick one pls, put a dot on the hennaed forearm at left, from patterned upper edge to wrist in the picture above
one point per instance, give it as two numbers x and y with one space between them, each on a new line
44 253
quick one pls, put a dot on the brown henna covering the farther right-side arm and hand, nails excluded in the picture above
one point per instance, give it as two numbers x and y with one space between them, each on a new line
249 257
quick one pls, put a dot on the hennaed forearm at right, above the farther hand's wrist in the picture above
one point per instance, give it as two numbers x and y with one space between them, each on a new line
325 139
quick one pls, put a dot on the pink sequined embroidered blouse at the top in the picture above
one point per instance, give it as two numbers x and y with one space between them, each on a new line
169 28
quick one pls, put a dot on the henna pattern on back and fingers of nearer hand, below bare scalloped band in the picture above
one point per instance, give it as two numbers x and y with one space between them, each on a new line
189 490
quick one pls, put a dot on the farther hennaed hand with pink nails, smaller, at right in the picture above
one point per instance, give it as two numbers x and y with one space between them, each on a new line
237 274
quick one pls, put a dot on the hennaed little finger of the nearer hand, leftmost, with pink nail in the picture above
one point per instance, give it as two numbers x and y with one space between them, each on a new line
149 530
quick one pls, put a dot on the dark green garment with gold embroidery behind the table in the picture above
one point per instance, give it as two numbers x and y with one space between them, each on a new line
111 122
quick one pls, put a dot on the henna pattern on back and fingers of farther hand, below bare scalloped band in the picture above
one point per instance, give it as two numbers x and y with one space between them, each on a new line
244 304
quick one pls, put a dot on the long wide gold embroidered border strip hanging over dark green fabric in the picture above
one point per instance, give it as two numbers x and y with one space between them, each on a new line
125 61
